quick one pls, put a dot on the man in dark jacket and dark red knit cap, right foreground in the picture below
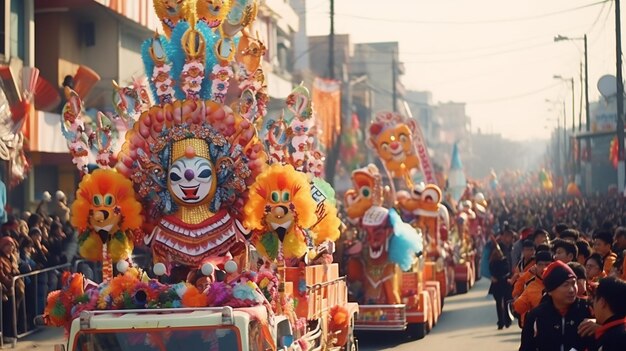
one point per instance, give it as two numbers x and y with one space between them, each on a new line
553 325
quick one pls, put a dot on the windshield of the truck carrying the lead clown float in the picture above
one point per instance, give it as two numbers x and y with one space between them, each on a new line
162 339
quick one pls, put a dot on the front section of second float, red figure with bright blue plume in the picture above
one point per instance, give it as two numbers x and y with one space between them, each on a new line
385 262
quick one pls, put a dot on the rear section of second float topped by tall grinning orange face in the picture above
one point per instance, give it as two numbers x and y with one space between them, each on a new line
399 144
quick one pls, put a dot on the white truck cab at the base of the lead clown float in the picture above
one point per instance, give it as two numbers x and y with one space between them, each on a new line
219 328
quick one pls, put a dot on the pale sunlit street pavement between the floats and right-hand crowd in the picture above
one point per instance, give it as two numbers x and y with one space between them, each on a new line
468 323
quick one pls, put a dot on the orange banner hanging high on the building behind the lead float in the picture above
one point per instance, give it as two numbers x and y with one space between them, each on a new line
327 108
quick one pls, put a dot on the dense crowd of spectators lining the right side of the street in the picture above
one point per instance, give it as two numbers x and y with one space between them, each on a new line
557 263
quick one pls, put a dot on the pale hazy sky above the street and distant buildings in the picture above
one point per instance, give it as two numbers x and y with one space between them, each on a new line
498 56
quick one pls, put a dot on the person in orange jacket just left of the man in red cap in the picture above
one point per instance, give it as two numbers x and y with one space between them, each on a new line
533 292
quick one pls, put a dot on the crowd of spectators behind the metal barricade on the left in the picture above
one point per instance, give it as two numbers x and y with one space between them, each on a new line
31 242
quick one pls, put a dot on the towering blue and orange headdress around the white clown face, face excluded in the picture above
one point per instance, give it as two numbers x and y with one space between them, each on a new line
190 70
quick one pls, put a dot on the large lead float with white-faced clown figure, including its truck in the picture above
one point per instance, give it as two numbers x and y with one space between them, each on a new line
241 238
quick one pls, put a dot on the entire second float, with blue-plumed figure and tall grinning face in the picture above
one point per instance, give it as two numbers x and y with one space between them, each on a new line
404 289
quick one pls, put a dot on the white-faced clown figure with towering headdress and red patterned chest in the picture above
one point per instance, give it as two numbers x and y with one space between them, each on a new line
193 155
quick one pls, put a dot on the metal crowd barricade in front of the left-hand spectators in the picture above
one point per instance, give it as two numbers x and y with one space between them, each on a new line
35 281
